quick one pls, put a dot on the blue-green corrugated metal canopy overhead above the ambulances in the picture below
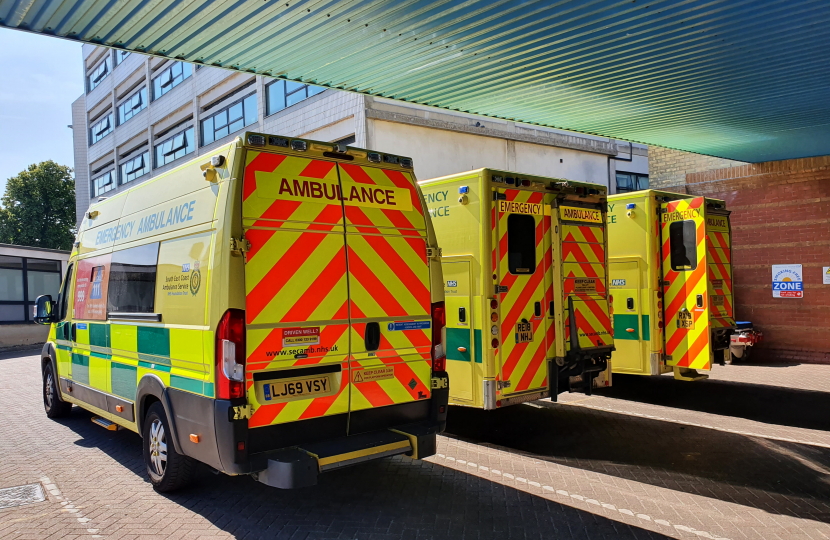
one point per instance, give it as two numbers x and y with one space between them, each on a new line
746 80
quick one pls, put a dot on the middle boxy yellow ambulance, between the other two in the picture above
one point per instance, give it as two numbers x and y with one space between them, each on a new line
524 261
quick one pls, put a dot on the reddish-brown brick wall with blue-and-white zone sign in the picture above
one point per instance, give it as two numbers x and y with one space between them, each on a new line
780 215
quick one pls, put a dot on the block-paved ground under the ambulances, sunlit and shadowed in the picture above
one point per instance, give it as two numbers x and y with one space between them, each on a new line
743 455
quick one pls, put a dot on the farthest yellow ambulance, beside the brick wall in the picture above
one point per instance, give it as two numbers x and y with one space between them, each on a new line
671 281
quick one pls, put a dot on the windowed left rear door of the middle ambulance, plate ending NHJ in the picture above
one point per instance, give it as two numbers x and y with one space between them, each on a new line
521 277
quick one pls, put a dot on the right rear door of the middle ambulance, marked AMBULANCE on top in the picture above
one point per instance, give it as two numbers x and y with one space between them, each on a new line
584 275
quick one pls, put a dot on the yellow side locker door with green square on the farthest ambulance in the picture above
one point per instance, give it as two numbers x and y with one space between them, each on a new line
630 327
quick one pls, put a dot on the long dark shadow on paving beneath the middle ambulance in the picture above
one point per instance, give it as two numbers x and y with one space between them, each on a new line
710 463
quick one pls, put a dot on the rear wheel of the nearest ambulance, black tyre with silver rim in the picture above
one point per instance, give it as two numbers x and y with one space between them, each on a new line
168 470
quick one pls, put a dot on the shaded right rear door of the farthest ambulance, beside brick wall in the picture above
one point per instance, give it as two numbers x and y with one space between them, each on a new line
719 259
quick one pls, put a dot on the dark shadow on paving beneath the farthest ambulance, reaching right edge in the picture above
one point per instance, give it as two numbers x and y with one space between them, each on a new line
761 403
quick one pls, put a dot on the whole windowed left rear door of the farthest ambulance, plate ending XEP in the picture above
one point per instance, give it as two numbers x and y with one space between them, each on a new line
685 286
